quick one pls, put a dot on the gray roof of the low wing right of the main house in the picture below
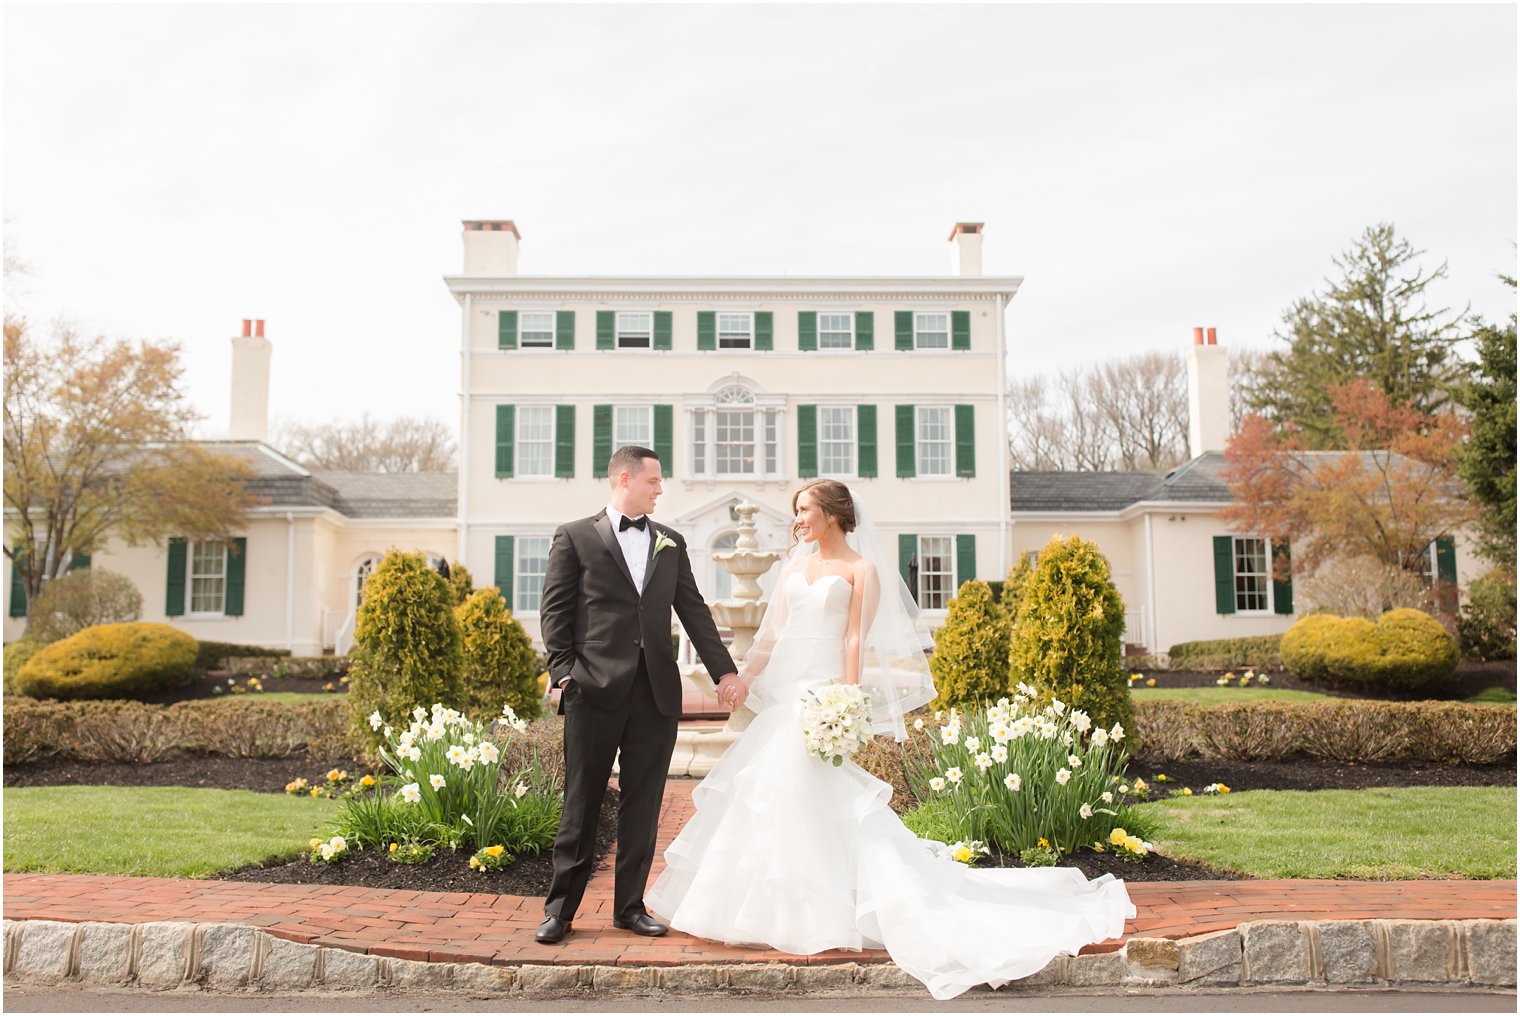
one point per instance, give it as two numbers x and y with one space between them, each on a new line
1059 491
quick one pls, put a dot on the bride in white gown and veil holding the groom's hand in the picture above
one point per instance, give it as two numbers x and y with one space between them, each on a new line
791 852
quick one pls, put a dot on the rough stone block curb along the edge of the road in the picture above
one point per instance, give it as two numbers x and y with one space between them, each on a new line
1267 953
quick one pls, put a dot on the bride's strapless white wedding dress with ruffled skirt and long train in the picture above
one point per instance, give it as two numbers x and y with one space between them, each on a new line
791 852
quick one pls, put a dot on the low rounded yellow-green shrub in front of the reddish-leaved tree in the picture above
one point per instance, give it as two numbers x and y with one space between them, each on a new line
1402 650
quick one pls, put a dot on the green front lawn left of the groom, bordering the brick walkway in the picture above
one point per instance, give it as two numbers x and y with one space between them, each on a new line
159 831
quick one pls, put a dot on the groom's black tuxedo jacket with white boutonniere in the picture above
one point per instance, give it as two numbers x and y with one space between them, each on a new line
595 621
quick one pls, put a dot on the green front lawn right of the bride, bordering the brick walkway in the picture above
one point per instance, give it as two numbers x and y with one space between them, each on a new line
1407 833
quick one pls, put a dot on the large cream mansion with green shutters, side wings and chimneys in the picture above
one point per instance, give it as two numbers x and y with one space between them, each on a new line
746 386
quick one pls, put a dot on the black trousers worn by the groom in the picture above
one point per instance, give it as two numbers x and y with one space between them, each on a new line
594 738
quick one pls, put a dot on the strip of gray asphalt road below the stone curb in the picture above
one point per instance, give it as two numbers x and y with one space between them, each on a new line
77 1000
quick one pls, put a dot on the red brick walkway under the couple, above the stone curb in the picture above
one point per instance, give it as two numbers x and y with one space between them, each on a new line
489 929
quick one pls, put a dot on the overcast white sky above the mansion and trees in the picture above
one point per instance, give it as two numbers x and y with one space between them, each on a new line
174 170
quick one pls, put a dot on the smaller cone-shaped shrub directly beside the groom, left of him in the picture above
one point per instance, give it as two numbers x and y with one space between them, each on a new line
498 659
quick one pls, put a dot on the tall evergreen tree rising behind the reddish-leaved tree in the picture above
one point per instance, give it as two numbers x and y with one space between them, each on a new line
1372 325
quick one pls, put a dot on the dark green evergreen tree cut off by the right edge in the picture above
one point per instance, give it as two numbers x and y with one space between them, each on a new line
1487 462
